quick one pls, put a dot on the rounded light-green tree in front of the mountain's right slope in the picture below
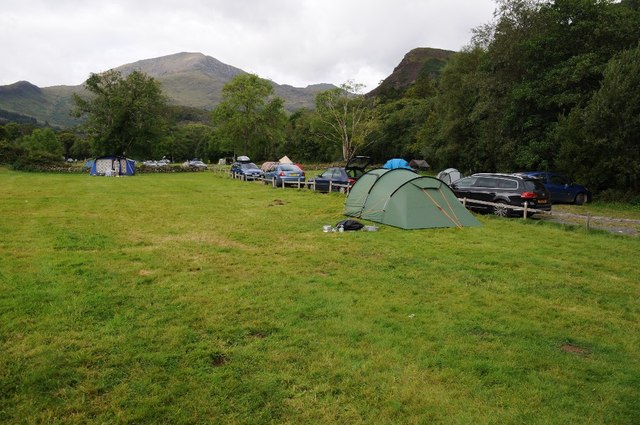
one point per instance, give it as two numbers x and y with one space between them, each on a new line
249 120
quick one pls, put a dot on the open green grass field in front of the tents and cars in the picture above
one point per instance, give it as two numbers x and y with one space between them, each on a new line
194 298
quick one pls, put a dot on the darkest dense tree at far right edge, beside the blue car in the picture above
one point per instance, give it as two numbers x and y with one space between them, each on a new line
600 143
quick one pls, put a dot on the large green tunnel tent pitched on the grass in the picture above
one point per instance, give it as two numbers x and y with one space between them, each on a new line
402 198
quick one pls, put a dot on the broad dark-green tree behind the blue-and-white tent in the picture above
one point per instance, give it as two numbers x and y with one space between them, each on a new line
124 115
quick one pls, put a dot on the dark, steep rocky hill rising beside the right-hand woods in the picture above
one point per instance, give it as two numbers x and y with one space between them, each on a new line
423 62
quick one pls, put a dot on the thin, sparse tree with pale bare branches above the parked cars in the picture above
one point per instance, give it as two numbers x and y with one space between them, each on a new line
348 116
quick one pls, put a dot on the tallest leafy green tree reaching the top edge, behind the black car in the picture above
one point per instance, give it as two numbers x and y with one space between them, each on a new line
544 59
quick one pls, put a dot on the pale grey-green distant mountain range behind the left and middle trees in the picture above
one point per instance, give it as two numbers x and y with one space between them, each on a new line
188 79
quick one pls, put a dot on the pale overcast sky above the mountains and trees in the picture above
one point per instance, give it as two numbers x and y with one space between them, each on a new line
296 42
